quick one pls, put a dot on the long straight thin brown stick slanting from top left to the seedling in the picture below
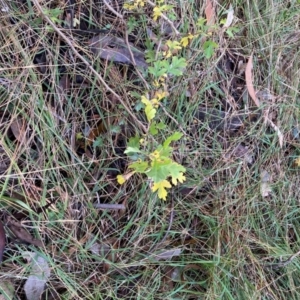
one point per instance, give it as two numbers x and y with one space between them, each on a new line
69 43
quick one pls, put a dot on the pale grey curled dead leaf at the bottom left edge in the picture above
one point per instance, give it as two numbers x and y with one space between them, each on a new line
39 274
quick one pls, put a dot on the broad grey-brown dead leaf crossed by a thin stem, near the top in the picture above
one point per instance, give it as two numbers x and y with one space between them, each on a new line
115 49
